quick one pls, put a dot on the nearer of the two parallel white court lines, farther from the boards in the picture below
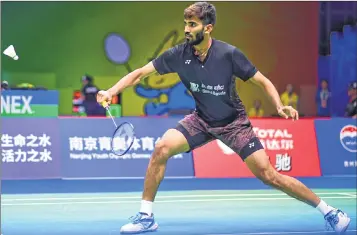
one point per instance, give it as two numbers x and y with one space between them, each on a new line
165 201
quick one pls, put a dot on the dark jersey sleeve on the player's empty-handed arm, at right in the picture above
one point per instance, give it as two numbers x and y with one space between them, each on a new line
242 67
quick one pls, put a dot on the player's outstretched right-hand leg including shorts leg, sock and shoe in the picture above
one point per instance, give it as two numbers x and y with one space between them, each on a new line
240 137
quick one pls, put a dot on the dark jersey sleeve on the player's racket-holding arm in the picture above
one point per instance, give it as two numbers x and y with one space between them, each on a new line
166 62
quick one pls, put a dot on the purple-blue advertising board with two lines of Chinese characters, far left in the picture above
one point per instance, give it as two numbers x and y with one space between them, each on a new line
30 148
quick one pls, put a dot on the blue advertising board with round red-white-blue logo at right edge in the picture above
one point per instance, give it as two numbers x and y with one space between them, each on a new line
337 144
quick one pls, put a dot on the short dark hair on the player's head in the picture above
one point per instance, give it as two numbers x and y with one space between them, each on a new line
204 11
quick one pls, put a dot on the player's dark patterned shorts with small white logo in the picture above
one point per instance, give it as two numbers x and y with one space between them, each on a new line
238 135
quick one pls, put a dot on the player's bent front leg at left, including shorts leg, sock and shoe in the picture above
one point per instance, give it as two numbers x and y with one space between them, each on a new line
188 135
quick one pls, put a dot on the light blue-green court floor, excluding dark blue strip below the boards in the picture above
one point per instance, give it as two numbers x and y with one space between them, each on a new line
203 212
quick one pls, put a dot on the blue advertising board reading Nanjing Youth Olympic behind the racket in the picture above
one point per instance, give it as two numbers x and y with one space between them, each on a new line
86 149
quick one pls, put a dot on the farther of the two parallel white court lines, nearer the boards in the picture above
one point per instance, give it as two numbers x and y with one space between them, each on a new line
169 196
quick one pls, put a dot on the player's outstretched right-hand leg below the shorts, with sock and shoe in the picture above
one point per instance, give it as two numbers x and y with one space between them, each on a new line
258 162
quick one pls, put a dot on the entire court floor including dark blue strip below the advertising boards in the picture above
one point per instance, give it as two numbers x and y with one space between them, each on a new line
183 206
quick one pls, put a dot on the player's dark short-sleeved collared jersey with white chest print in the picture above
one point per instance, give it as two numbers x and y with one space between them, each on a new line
211 82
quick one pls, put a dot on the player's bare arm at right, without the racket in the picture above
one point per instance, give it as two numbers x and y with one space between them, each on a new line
284 111
